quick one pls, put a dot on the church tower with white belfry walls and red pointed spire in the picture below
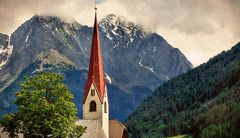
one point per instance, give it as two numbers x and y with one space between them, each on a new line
95 100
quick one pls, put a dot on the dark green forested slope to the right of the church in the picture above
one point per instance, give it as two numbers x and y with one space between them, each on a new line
204 102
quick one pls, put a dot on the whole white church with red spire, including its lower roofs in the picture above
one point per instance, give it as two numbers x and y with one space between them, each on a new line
95 99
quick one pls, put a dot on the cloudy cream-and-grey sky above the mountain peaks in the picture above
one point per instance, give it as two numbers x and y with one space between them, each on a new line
199 28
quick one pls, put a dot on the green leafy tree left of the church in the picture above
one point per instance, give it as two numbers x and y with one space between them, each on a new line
45 109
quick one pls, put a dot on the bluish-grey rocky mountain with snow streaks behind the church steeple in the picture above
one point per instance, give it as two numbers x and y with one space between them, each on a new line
135 62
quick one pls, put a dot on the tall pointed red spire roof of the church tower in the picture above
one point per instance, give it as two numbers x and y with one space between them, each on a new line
95 72
